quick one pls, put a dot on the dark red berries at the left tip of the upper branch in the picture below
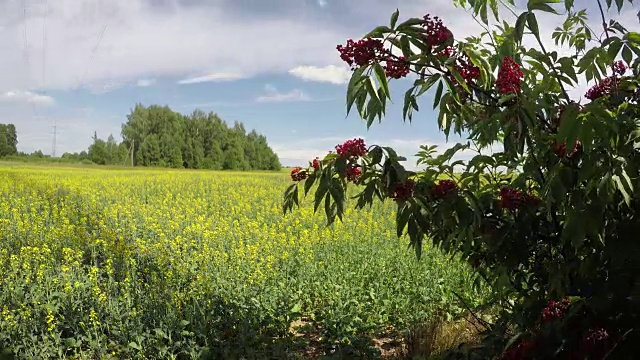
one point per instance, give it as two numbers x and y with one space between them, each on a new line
368 51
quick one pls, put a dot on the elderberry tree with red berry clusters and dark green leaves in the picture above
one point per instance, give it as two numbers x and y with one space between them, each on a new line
551 213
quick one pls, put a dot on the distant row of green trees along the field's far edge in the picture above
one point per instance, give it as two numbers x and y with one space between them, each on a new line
159 137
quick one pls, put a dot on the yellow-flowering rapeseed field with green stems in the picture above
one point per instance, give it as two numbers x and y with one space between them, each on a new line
99 263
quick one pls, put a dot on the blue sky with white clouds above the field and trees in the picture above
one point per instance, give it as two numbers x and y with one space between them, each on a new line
82 65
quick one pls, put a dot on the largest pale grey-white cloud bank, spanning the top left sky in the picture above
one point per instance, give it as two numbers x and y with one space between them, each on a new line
215 40
